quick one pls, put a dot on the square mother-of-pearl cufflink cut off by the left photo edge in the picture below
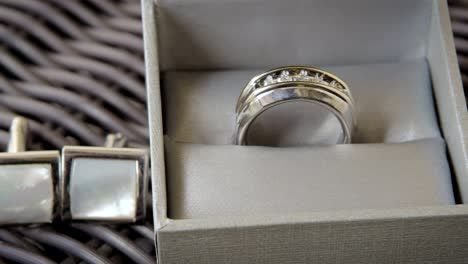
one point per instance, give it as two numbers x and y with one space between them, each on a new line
28 181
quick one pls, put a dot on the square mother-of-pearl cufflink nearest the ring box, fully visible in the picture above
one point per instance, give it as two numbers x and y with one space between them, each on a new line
106 184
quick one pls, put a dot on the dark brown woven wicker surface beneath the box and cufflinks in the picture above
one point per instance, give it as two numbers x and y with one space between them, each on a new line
75 69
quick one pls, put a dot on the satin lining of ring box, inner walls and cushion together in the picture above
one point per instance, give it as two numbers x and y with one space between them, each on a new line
202 77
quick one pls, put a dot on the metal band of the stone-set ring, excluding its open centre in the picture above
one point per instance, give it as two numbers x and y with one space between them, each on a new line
293 84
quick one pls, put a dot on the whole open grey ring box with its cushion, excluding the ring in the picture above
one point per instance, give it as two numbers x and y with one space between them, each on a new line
395 196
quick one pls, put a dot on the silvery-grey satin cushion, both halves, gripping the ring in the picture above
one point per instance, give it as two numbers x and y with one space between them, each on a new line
394 104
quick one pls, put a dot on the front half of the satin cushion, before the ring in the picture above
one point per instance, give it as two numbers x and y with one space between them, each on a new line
214 181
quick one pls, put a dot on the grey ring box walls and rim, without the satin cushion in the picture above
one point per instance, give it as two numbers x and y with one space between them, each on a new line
338 32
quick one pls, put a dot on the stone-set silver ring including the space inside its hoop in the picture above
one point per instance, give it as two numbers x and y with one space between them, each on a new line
282 105
